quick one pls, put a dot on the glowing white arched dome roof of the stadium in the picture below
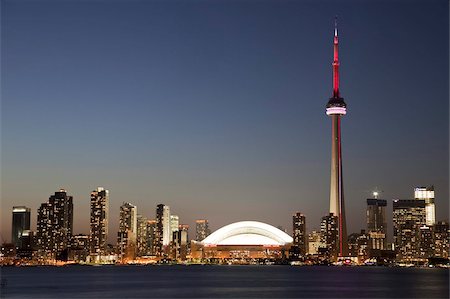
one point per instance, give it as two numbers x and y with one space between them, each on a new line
248 233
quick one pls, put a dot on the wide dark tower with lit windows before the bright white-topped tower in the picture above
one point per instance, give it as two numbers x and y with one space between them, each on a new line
408 217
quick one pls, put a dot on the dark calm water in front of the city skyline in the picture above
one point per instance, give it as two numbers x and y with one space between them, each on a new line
223 282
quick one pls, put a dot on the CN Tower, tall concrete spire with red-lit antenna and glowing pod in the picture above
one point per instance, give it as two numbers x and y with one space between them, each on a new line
336 108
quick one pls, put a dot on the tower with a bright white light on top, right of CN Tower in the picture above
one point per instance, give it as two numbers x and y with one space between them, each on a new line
376 223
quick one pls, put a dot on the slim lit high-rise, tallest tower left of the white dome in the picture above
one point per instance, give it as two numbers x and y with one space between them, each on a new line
99 223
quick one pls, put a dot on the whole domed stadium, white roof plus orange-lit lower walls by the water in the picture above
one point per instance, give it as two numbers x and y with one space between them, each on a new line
243 241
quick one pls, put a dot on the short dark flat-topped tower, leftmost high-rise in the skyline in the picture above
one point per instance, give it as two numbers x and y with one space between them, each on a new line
20 225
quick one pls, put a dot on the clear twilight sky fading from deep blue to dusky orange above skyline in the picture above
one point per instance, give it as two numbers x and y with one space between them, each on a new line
217 108
